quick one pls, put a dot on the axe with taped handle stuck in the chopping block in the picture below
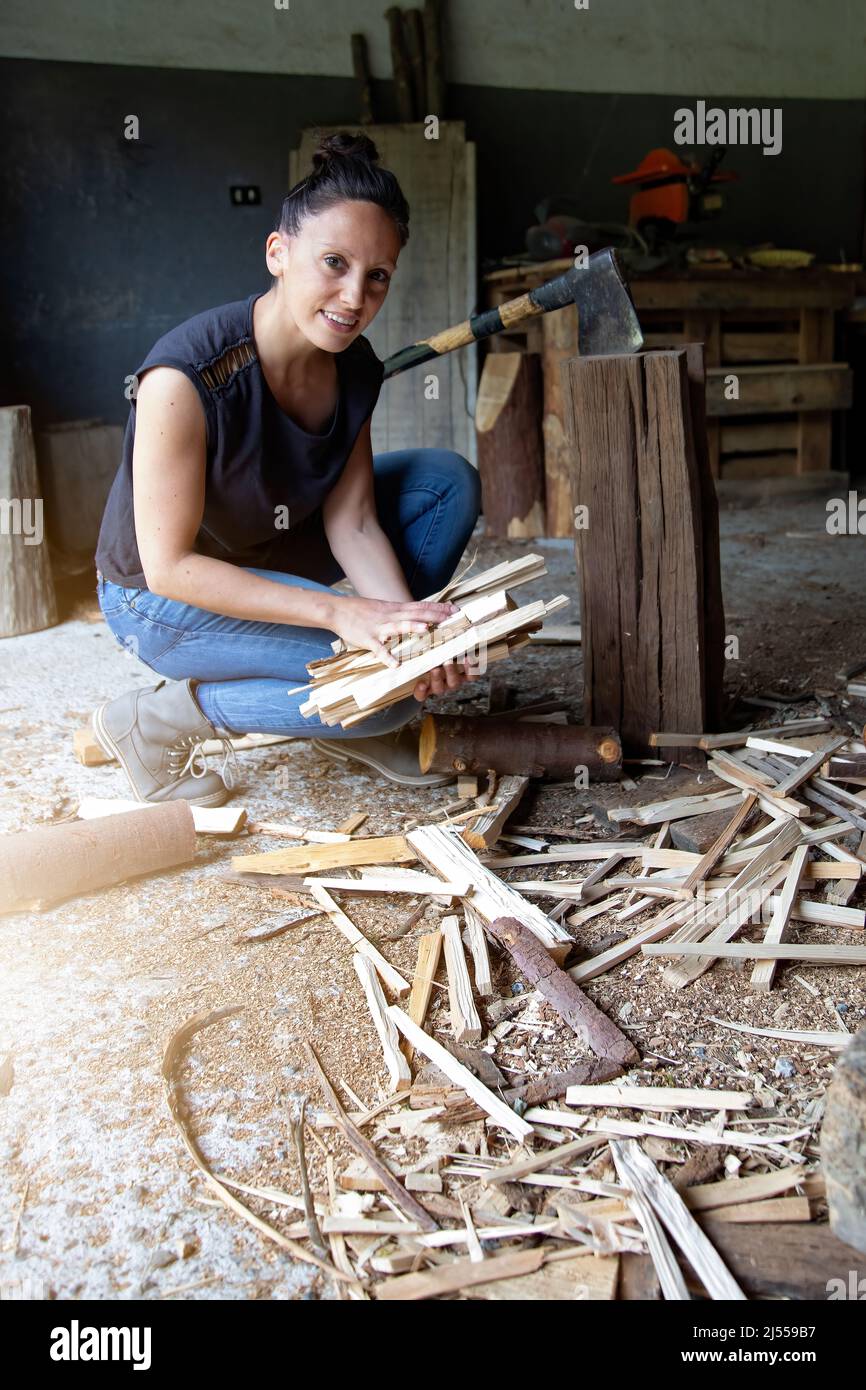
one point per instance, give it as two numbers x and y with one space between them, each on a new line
607 319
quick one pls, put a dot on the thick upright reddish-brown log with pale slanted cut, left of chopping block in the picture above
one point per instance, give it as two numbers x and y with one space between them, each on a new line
511 448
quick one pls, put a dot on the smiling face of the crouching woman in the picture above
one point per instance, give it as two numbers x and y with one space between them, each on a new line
334 276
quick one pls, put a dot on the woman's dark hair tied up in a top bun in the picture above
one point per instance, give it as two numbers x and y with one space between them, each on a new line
345 169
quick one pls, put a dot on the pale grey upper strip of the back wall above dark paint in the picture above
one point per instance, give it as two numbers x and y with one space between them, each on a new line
714 48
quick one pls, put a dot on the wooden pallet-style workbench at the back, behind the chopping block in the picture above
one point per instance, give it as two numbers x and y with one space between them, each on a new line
774 382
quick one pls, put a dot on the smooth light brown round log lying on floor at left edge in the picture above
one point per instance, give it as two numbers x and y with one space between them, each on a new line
40 868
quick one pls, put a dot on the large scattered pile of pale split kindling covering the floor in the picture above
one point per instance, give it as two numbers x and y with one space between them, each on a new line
536 1182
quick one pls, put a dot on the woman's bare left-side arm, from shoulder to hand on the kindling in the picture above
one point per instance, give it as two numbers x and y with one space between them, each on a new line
169 472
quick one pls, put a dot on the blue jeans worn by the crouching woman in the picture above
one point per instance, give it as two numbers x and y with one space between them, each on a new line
427 502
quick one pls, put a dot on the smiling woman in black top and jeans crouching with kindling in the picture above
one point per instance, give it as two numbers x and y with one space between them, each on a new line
248 489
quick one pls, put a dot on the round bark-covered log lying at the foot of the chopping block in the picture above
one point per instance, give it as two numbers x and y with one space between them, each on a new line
451 743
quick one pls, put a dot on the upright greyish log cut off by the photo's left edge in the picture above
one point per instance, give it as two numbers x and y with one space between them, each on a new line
27 589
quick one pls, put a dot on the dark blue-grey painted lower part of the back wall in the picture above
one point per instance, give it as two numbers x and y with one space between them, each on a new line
112 243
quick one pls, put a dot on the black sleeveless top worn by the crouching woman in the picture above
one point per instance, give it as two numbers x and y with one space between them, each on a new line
265 473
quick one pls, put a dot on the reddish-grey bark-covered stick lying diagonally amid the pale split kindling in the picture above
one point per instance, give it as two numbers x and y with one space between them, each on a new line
594 1028
